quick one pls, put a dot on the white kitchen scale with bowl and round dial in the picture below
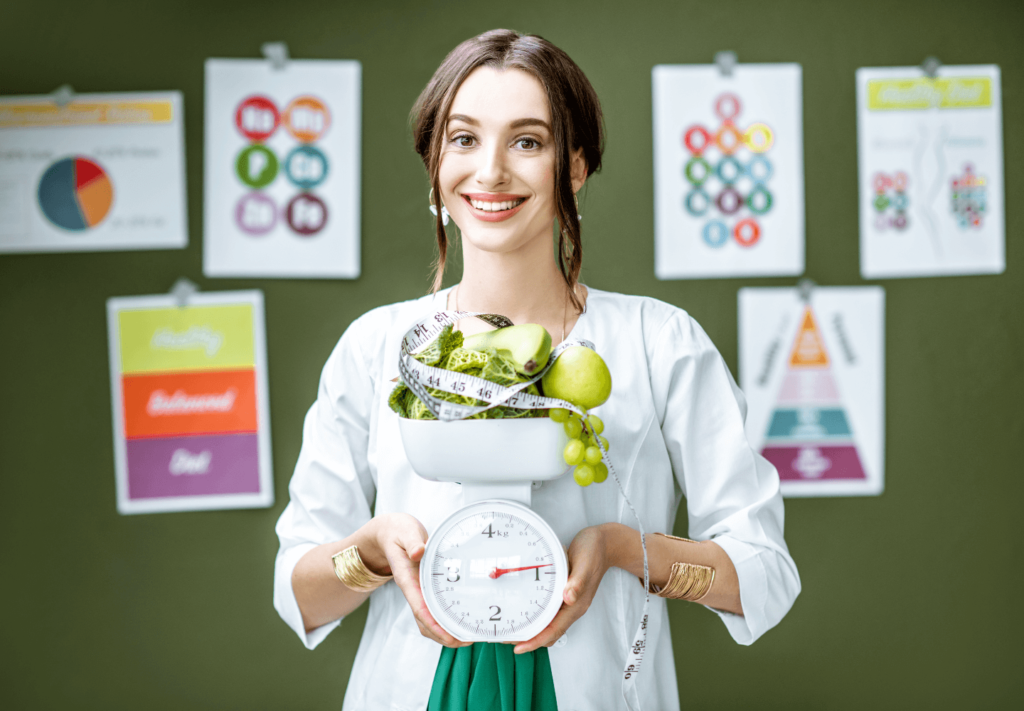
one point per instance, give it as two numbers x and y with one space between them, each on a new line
494 571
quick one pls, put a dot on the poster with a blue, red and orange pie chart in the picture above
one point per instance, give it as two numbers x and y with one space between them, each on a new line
102 173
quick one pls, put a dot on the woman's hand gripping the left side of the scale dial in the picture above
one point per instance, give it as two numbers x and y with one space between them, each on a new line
402 540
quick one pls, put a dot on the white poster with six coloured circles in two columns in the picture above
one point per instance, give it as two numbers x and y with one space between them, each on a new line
282 166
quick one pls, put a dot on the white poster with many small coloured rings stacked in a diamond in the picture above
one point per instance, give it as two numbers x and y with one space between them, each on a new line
729 172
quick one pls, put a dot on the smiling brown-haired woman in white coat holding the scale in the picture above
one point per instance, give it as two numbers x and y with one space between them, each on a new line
510 130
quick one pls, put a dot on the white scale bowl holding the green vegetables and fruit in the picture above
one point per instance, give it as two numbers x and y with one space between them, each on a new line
480 451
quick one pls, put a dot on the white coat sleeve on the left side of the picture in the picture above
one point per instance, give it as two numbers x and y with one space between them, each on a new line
333 488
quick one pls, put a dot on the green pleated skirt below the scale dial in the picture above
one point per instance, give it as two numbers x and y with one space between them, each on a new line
487 677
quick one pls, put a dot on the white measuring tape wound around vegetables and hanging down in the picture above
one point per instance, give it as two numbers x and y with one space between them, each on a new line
419 378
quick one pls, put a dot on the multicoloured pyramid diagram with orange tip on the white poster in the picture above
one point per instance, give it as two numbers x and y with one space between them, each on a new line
809 436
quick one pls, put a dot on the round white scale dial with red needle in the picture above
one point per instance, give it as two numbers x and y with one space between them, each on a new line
494 571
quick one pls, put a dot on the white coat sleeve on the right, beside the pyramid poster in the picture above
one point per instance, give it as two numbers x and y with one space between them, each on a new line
733 493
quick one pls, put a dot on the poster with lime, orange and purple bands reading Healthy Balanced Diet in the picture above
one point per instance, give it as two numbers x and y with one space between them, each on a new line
192 428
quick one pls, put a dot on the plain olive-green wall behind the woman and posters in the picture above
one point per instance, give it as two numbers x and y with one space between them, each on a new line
911 600
